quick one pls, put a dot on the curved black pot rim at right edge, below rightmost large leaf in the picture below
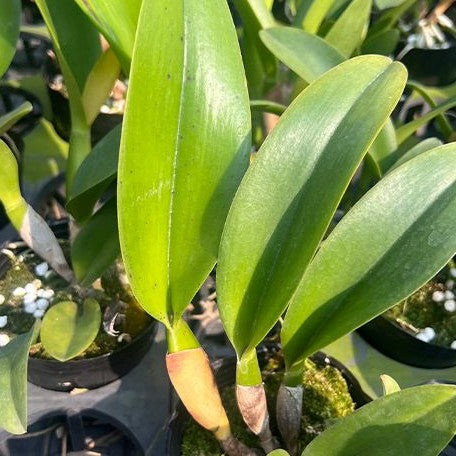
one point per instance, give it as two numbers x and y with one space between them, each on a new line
391 340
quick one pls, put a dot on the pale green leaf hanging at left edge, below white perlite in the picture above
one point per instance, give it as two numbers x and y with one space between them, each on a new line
13 381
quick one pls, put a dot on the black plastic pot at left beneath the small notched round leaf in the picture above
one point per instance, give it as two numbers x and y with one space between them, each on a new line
86 373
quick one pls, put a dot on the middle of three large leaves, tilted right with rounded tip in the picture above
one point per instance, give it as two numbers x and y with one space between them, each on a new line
284 204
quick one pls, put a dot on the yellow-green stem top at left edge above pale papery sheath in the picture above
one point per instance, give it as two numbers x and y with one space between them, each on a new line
10 192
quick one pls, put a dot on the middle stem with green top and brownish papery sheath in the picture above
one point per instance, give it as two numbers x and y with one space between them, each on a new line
251 399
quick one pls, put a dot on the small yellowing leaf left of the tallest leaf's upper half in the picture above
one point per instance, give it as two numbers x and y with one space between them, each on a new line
99 84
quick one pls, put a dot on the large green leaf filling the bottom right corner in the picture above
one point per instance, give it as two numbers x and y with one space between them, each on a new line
420 420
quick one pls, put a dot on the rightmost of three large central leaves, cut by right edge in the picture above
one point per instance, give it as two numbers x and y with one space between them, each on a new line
397 237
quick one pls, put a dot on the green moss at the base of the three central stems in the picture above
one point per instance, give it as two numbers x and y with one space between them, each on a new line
326 398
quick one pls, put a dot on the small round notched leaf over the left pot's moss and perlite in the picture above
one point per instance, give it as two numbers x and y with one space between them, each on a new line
68 328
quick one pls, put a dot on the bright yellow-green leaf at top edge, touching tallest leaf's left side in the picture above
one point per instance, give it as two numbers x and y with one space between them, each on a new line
116 20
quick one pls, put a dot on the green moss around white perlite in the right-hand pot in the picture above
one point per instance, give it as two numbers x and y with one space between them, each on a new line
420 311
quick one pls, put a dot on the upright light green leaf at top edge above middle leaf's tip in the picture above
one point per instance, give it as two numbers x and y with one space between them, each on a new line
349 30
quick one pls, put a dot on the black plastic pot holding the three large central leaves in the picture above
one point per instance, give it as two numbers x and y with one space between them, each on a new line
225 375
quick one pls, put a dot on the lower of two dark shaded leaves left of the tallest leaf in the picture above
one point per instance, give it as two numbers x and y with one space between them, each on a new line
97 245
